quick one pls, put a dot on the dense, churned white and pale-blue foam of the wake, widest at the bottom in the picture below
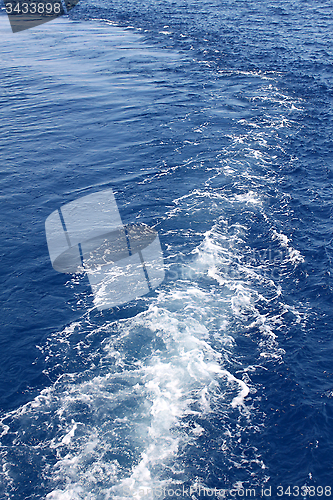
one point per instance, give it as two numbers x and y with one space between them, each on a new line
117 430
